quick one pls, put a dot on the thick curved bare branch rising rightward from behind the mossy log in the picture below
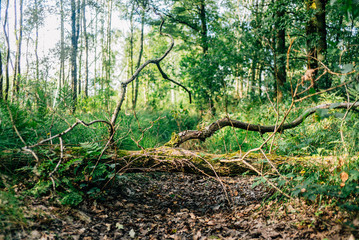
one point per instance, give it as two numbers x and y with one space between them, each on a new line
178 139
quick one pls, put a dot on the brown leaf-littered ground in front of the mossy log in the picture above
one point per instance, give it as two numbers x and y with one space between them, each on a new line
184 206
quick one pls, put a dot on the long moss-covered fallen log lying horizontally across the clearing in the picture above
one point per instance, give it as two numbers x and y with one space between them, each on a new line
169 159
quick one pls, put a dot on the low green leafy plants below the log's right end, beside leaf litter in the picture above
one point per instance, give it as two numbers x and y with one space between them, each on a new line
322 184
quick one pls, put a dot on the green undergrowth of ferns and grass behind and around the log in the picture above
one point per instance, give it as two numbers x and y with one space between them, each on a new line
81 175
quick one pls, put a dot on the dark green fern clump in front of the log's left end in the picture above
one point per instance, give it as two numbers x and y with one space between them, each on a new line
75 178
